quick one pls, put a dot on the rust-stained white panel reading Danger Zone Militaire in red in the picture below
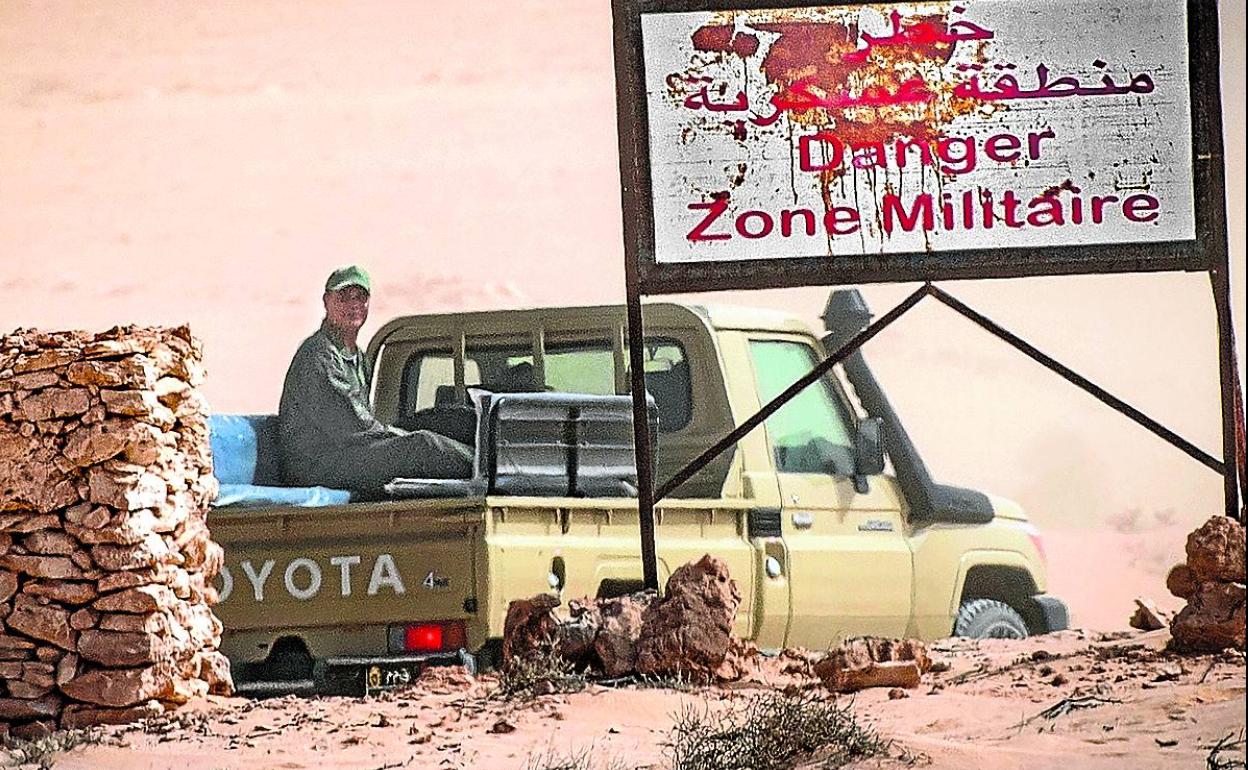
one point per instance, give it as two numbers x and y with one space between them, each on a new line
918 128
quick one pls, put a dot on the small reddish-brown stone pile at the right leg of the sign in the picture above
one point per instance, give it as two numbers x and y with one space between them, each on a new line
1212 581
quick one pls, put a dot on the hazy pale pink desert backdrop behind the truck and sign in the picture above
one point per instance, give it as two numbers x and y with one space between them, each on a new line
212 165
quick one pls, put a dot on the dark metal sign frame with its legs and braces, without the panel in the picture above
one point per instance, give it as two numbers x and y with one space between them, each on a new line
646 276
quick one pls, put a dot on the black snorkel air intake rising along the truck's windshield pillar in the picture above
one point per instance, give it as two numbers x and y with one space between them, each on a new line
846 316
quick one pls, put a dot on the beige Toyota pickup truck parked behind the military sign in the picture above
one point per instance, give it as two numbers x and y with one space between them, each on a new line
333 590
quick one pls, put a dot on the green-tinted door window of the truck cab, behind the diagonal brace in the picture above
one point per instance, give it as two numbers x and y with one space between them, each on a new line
812 434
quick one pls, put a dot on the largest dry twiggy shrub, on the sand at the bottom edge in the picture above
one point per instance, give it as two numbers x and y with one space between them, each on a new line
772 732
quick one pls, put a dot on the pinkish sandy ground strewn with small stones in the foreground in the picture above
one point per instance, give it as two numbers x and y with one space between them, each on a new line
1073 699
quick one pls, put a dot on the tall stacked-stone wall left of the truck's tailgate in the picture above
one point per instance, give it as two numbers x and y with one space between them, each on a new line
105 556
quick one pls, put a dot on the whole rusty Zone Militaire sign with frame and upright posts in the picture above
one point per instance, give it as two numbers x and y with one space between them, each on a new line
769 144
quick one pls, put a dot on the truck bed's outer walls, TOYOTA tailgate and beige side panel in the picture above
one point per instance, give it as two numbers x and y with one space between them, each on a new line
340 577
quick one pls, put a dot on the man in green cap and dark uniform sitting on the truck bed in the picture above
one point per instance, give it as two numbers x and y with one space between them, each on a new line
329 434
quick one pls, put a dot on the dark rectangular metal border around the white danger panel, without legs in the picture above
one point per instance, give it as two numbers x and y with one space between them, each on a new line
1206 253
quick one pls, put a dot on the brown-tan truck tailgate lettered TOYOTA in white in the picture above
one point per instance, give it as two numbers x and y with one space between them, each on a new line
354 570
